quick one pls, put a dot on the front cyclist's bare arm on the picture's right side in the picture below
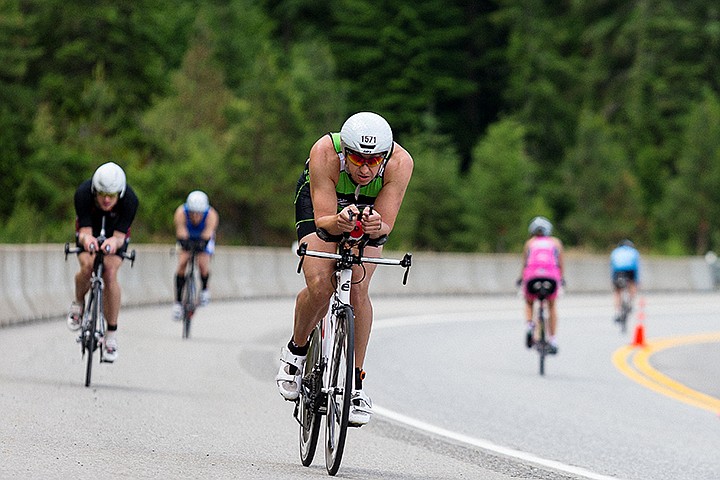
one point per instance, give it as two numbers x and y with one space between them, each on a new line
395 181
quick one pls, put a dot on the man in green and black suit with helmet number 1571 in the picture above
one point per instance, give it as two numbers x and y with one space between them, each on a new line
362 165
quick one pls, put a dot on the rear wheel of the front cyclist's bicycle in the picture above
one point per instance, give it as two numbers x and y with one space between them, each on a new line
310 400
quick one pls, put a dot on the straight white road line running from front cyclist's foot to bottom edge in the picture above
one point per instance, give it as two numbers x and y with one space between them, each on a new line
487 445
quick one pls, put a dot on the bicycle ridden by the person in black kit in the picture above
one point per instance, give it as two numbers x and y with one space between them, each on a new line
92 327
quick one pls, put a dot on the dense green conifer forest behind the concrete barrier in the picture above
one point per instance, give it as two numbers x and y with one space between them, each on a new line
603 115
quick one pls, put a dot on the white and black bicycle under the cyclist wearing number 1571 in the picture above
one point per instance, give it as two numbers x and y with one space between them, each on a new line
327 383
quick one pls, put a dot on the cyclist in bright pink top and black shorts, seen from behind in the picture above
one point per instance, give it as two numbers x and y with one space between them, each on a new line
543 258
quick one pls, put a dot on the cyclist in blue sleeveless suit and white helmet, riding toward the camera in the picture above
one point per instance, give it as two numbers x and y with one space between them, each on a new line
194 220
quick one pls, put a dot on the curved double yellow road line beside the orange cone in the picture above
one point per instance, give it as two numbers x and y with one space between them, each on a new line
644 374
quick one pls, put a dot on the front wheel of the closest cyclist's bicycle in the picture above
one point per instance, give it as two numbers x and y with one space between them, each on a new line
342 369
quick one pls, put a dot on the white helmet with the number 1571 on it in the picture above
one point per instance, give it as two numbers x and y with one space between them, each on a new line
367 133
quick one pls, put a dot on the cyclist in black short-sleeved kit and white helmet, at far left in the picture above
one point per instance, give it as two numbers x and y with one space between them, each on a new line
107 195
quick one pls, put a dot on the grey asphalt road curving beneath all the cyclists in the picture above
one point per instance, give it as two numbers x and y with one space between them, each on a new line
457 395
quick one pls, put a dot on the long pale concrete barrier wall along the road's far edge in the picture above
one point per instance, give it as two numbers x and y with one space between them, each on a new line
38 283
